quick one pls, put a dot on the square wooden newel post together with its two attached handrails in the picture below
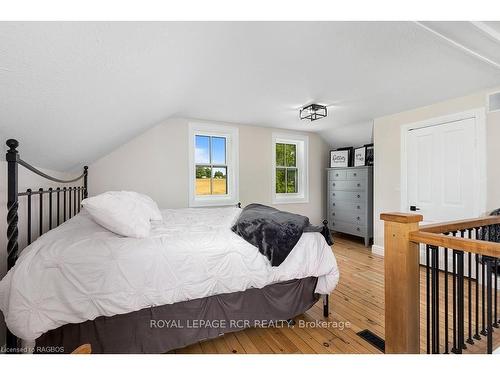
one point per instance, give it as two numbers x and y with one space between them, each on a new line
402 237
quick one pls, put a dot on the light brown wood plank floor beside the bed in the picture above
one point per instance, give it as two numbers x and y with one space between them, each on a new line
356 304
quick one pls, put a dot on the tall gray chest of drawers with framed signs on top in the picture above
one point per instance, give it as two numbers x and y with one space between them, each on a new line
350 201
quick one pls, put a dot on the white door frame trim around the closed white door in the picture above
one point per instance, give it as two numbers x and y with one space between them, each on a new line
479 114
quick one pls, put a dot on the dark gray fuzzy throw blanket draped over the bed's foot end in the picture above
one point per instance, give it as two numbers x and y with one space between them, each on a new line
274 232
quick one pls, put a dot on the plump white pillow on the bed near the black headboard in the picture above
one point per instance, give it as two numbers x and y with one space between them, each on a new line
121 213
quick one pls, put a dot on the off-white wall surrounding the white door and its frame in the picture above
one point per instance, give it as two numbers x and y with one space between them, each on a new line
387 139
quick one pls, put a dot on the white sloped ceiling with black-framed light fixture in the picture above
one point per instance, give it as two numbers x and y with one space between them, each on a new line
71 92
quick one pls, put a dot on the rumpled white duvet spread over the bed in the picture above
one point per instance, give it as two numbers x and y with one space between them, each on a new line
80 270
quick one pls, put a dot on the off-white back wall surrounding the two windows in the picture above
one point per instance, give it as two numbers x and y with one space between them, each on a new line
156 163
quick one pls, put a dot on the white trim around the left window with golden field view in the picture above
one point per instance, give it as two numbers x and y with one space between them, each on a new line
232 150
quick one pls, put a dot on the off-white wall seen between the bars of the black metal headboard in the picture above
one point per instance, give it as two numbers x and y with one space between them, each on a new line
26 180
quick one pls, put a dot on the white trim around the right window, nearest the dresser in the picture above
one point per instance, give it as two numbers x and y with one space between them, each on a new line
302 142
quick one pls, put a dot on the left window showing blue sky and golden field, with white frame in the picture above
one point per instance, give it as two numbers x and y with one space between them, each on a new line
213 164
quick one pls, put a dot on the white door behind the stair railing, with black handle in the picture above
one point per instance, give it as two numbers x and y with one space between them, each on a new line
441 171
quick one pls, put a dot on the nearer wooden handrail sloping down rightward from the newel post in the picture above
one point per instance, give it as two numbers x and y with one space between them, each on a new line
456 243
